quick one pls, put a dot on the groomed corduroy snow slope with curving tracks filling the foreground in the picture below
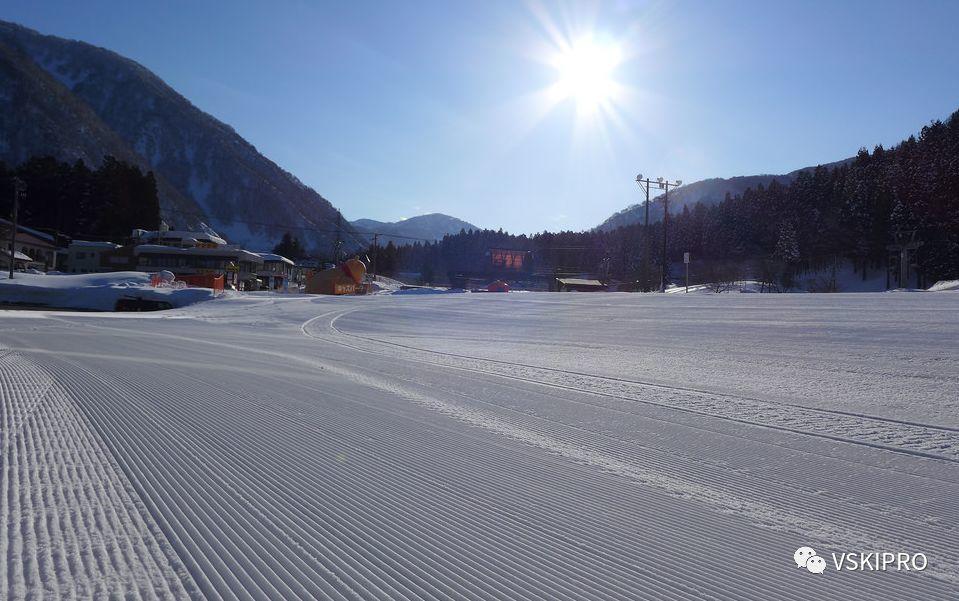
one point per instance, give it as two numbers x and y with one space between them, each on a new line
481 446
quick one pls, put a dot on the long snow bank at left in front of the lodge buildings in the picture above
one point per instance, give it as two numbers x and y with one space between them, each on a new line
91 291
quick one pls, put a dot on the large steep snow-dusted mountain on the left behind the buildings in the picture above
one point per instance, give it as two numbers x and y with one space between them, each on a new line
73 100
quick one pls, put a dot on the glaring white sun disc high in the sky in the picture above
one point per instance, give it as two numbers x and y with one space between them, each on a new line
586 70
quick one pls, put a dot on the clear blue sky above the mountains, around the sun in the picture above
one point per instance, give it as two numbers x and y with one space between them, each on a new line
393 109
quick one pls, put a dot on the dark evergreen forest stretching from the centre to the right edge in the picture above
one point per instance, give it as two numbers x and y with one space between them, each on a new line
852 212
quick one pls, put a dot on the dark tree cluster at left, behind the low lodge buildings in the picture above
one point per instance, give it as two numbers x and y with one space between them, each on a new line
75 201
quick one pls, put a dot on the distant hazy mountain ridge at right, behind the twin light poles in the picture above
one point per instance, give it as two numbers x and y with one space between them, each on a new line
707 191
